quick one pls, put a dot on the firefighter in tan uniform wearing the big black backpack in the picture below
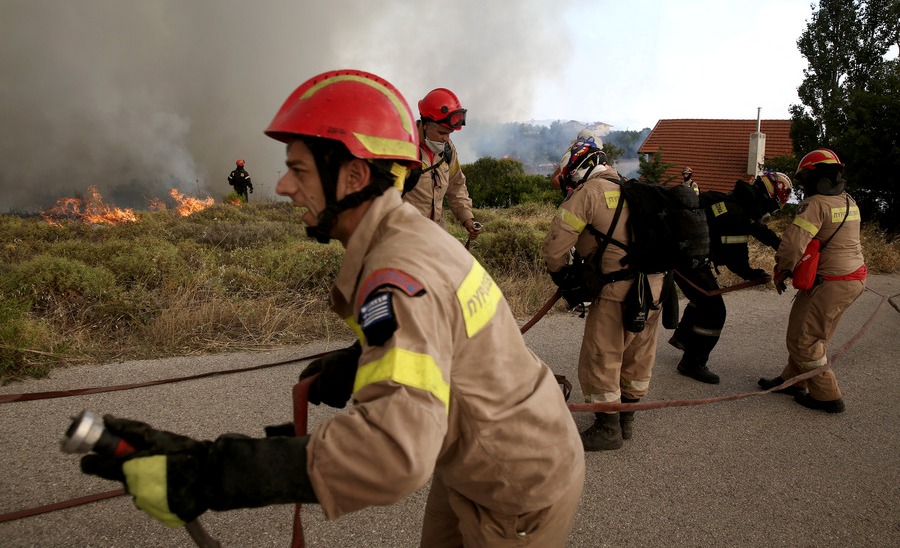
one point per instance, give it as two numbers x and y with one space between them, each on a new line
614 364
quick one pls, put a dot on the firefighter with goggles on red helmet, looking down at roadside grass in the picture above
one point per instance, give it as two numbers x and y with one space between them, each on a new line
440 114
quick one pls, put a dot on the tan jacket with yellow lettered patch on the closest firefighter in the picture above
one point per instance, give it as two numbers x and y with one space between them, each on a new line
455 391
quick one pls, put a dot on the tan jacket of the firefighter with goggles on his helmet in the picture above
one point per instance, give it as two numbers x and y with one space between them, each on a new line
444 180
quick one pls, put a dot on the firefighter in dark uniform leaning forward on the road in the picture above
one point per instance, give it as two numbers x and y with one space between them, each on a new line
732 219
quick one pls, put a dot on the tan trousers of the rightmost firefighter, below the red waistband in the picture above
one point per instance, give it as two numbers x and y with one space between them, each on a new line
814 317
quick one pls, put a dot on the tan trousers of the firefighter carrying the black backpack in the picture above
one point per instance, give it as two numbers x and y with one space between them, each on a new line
615 362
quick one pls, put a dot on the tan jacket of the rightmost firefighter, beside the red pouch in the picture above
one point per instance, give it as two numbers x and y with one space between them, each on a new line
818 217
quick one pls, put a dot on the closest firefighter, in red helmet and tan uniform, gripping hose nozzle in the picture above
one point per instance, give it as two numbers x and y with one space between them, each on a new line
443 385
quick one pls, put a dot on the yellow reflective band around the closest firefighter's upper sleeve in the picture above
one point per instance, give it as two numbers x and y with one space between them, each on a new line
407 368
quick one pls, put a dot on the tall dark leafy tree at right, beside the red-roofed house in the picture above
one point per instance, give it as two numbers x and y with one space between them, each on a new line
849 98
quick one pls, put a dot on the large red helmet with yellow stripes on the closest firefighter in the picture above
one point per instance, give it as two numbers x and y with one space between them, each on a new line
361 110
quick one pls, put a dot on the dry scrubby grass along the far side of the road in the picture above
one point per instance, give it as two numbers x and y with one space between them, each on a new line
229 278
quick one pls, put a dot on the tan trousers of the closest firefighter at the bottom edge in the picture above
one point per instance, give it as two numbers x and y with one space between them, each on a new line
452 521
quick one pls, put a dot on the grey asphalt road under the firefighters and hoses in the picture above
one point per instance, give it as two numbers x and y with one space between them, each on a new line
759 471
